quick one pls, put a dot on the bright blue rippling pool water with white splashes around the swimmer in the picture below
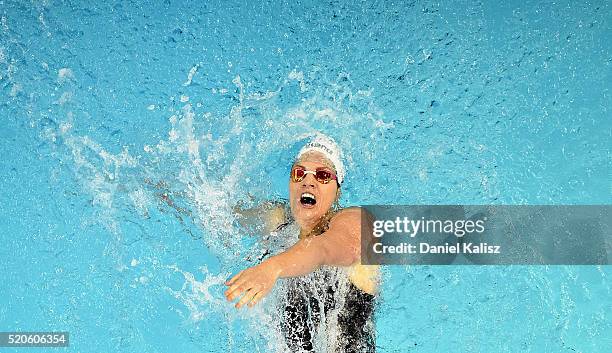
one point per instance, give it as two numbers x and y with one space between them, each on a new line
130 130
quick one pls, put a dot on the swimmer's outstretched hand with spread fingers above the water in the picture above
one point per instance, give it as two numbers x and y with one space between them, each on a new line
255 282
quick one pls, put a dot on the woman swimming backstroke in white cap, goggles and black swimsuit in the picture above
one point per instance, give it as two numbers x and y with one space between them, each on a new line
328 238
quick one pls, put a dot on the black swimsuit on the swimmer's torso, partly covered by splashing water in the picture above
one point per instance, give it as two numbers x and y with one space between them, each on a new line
355 316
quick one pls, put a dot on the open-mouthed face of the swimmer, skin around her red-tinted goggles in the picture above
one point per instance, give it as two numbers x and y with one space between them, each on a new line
309 199
